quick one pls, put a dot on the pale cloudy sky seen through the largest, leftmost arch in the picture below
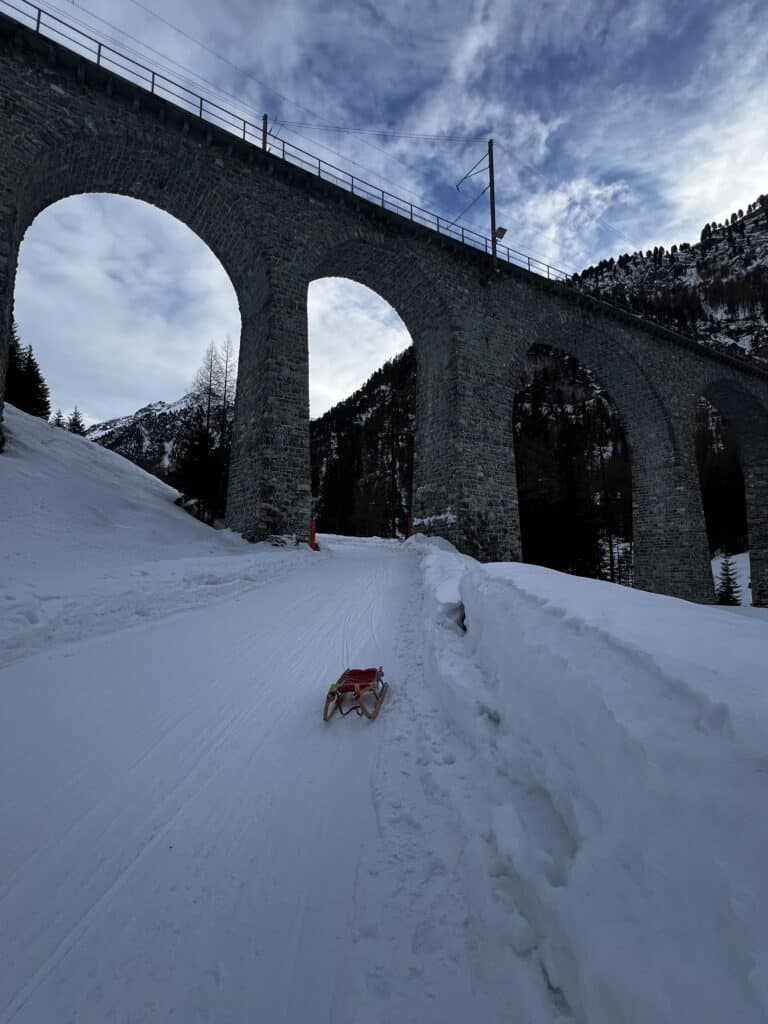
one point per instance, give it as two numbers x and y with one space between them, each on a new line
188 300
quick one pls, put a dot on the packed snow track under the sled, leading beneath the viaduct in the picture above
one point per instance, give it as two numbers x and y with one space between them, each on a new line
186 838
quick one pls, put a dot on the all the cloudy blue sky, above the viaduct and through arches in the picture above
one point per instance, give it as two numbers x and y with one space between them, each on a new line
618 126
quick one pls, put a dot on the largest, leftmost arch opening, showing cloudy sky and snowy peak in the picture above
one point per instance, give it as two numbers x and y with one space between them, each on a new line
120 302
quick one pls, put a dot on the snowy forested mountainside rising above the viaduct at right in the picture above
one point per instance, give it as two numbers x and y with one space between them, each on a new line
715 289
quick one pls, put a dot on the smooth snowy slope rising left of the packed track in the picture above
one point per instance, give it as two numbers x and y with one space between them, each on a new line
91 543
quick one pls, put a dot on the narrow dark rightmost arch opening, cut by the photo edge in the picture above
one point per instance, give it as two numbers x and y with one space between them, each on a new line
733 463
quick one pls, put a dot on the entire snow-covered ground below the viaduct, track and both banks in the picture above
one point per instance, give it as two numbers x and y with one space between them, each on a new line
560 815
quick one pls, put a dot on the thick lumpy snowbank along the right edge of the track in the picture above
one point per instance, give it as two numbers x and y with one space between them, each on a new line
632 729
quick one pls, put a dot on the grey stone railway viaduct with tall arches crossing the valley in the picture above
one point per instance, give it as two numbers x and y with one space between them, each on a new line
68 127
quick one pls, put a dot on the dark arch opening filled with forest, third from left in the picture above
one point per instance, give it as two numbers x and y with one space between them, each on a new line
574 471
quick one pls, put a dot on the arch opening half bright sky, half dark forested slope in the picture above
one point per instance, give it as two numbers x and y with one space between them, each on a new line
362 403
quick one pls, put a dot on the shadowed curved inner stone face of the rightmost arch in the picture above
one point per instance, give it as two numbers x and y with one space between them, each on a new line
747 416
